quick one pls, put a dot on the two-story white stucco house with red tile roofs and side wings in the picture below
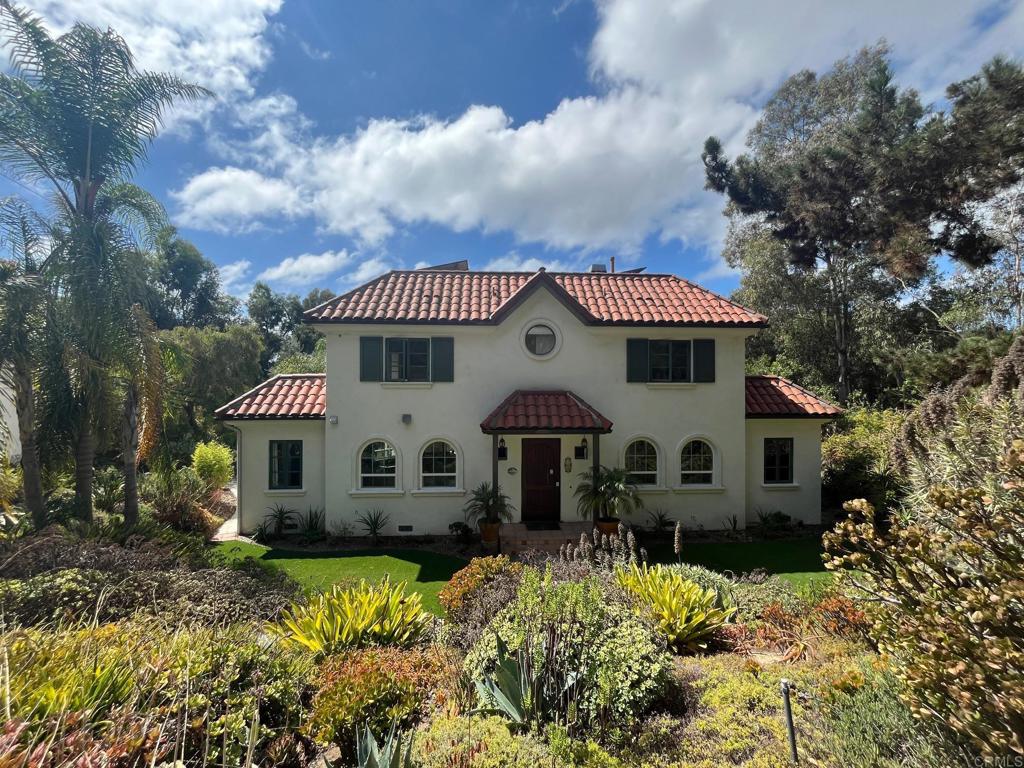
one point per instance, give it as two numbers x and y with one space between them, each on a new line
439 379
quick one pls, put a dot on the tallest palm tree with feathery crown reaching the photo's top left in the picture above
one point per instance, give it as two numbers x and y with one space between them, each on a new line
77 115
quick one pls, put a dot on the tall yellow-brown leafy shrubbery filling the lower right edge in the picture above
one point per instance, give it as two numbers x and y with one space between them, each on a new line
947 576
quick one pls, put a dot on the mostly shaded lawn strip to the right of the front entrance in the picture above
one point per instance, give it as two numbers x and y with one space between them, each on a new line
799 562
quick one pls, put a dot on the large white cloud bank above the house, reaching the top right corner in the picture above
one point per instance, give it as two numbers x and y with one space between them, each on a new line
605 172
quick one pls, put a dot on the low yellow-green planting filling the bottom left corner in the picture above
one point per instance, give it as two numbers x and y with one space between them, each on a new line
106 693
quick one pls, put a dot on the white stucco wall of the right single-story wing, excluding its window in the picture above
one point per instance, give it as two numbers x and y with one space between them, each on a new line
802 500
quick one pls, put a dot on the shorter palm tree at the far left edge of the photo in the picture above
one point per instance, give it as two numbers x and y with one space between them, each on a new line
22 295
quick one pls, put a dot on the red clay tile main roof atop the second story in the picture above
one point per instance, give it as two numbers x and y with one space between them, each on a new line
468 297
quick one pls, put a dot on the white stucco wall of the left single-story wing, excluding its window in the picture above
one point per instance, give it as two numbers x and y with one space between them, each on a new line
253 460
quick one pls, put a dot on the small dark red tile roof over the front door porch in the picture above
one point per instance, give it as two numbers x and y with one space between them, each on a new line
529 411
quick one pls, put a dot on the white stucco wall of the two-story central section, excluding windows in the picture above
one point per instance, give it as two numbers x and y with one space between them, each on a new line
490 364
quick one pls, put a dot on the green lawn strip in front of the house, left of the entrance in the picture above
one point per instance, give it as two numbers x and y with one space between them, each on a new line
426 573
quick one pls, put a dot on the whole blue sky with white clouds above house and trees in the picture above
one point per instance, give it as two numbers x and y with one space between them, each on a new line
352 138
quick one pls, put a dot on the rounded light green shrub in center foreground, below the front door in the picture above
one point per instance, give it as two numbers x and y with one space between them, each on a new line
617 659
